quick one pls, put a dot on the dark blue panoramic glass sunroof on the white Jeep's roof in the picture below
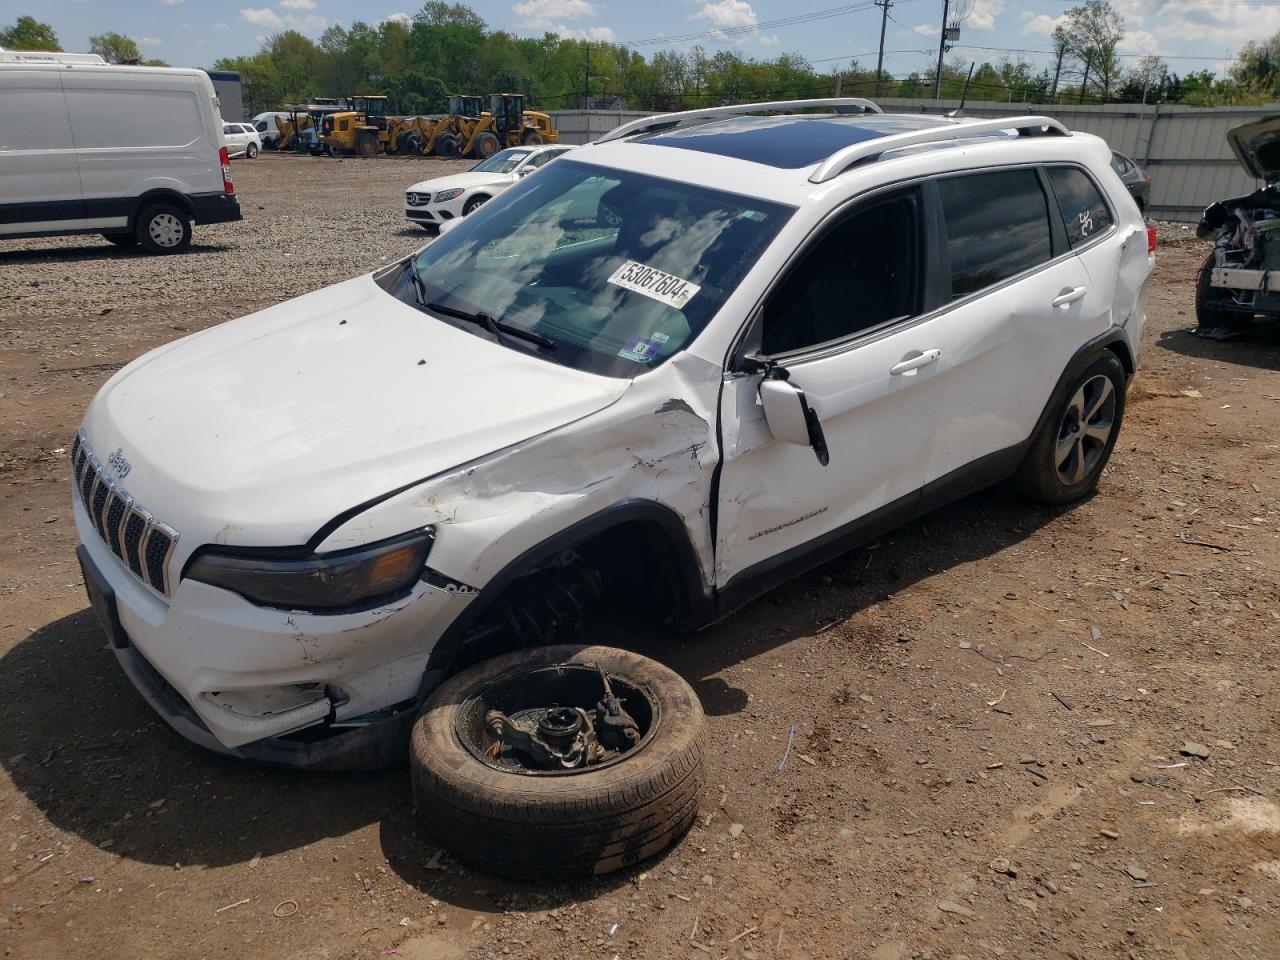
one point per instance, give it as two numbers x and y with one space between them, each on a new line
788 143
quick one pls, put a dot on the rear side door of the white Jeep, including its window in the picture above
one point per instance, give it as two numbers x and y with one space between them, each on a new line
1012 319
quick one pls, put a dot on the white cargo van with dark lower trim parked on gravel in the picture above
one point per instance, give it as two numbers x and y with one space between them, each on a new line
132 153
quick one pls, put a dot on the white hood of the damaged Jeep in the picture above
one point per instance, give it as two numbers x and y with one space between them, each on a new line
262 431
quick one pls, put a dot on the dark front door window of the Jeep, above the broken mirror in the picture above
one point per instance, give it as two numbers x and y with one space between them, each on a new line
865 273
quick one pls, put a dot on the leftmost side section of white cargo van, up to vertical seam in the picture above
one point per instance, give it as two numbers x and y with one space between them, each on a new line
38 156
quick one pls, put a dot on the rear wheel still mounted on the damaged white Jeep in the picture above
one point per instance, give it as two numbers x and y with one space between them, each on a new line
1067 458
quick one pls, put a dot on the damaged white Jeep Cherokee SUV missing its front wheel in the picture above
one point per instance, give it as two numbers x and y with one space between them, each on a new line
691 362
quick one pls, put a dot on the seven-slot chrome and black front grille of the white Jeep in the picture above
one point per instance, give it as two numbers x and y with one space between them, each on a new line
141 542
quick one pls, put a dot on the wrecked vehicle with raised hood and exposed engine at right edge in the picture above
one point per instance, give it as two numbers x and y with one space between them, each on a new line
1241 277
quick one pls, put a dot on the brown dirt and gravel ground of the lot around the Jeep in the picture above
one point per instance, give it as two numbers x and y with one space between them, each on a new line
990 707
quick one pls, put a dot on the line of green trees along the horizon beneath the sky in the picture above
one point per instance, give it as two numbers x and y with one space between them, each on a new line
450 49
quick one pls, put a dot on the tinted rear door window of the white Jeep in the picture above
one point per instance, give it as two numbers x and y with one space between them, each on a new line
996 227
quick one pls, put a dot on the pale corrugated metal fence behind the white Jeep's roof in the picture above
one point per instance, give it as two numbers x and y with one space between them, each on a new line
1183 148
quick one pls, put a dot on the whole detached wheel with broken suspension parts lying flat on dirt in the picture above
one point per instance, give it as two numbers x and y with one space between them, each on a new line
523 766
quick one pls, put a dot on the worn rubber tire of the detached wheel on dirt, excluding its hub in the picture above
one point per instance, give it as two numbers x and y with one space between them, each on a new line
577 825
